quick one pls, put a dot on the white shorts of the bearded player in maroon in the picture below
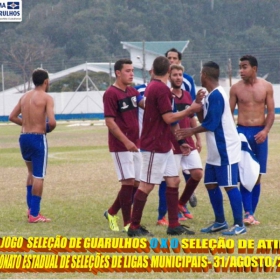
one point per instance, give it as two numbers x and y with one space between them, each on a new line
192 161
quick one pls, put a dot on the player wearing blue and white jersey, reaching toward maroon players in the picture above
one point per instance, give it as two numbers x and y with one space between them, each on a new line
223 152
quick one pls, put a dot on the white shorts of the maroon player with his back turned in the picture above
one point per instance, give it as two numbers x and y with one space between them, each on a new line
158 165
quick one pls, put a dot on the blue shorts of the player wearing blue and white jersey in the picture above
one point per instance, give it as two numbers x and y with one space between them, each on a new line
224 176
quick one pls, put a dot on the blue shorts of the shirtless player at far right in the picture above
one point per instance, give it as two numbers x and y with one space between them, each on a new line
260 150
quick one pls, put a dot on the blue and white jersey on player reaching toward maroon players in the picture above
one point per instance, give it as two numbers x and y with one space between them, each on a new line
223 142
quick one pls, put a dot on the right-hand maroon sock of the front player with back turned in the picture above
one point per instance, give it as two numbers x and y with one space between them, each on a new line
172 195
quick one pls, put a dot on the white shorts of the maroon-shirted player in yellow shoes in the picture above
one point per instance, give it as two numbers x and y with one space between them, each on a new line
127 164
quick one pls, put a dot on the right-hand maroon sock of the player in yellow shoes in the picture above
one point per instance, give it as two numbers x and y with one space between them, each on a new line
125 197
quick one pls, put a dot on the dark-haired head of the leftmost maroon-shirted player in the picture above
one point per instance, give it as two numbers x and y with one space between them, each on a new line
124 71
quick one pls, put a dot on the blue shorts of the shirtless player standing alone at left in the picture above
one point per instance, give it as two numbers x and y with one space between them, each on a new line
34 148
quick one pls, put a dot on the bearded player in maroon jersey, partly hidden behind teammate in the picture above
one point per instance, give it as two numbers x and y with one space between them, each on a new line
192 162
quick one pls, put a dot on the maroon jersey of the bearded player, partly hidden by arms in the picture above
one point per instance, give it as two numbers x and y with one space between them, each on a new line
181 104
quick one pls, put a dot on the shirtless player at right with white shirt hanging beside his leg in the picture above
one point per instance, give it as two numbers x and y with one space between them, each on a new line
253 97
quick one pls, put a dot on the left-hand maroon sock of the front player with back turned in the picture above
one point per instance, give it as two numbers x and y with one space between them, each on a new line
140 199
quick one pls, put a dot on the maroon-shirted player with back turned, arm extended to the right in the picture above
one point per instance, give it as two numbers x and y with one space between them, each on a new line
158 158
